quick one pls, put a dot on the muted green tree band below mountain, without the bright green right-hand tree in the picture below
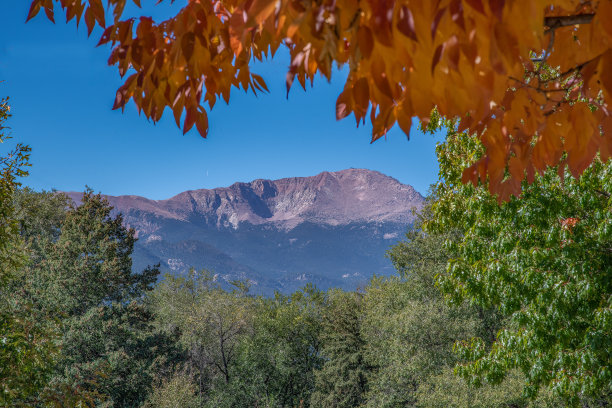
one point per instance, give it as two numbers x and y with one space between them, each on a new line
105 336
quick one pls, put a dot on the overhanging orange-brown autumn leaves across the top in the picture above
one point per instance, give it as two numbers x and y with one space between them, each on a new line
532 79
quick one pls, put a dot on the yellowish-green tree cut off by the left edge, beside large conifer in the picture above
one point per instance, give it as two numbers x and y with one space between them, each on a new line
27 348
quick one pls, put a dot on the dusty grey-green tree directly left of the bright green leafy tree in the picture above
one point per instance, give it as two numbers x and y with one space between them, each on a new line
409 329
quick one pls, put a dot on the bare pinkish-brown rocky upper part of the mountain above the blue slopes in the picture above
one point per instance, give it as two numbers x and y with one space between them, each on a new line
334 198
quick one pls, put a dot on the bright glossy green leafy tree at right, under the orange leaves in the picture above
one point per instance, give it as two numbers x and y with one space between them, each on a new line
544 261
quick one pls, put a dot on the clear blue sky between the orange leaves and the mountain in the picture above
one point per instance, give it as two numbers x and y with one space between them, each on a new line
62 90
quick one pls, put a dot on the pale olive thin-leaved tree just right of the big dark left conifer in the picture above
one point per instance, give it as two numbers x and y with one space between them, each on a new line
211 323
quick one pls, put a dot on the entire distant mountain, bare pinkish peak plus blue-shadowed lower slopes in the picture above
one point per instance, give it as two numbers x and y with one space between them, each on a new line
331 229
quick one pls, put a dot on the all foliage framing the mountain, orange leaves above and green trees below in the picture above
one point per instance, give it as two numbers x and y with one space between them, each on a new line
502 292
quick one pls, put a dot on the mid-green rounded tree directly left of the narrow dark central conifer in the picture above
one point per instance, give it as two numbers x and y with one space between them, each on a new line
276 364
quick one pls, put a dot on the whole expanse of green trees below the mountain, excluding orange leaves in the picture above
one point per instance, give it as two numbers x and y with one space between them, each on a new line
491 306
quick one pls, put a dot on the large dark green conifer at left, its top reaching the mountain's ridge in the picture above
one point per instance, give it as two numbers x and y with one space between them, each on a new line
80 271
